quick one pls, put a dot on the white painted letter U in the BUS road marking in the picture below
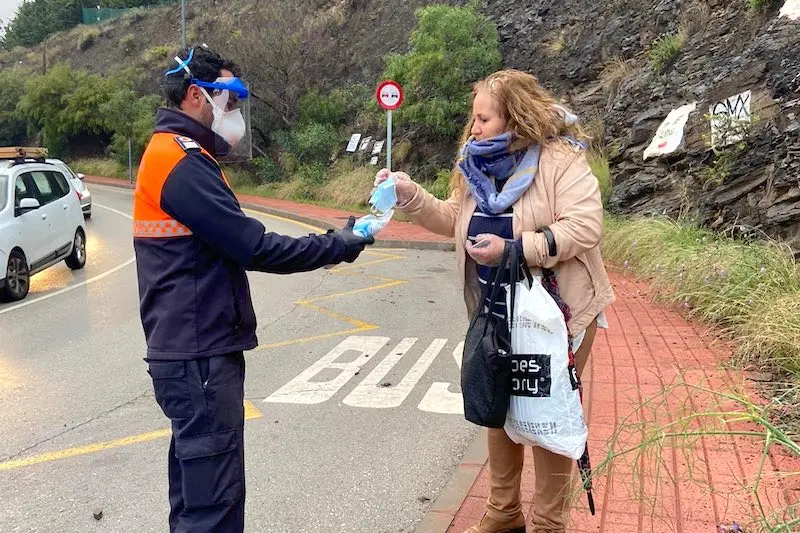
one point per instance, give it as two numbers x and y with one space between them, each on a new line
371 393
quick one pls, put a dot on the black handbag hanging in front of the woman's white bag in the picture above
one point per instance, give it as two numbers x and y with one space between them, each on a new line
486 363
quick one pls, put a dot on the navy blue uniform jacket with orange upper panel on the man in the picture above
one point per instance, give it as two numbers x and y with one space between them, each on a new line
193 245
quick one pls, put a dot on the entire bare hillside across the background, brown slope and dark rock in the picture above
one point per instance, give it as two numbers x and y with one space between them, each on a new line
623 65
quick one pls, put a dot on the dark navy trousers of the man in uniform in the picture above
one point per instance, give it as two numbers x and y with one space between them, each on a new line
204 399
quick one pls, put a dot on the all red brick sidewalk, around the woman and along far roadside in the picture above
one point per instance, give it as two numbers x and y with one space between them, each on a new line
650 351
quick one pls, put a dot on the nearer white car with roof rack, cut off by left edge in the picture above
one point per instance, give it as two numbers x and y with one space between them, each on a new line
41 223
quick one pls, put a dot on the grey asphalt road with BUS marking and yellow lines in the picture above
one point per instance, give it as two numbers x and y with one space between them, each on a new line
352 398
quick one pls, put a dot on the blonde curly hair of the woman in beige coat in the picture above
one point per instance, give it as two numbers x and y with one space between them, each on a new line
531 113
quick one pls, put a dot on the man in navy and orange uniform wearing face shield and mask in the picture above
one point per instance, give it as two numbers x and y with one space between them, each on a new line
193 245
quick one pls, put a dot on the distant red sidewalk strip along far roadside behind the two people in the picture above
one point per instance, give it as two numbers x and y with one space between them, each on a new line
401 234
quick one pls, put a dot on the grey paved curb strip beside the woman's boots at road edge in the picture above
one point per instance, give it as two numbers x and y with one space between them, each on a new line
442 512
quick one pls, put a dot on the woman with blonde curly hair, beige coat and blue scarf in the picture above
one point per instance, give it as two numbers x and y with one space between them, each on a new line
522 177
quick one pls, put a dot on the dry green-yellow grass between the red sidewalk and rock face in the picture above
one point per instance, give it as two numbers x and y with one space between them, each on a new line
752 289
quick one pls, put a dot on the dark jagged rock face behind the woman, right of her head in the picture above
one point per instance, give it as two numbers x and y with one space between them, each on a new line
597 56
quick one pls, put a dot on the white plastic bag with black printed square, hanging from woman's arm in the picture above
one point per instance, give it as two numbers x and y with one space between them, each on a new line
545 408
